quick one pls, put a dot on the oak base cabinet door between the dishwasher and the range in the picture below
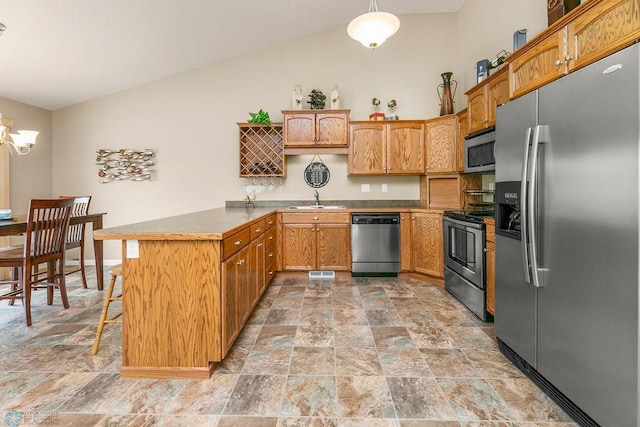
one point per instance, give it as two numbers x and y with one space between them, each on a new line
427 244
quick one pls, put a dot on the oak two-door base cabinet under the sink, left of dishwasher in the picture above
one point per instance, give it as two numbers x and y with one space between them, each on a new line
316 241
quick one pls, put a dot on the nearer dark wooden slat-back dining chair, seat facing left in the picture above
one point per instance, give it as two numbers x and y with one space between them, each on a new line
47 226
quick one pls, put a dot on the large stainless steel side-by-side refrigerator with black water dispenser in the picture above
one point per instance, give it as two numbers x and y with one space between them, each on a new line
567 239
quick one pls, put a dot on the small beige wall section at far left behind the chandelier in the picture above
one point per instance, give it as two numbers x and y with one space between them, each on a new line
31 176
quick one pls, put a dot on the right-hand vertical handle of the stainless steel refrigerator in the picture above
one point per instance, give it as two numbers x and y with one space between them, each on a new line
531 203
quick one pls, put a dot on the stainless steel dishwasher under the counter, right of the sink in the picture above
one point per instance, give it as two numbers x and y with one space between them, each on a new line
375 243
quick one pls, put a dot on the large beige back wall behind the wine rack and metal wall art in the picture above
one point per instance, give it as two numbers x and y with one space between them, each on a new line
190 119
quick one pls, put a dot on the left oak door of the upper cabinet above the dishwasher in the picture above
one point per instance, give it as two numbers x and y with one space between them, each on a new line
367 148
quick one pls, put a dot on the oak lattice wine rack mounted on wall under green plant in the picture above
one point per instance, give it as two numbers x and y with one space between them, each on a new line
261 150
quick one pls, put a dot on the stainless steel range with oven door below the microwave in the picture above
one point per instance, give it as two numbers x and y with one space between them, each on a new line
464 258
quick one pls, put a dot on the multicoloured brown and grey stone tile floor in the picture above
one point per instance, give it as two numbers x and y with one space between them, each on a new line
343 352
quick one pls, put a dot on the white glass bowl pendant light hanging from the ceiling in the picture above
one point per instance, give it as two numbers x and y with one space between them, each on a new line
373 28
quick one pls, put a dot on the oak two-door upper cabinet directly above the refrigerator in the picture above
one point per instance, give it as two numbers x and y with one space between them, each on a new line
588 33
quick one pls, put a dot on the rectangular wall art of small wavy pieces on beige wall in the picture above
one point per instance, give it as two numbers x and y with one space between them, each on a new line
125 164
